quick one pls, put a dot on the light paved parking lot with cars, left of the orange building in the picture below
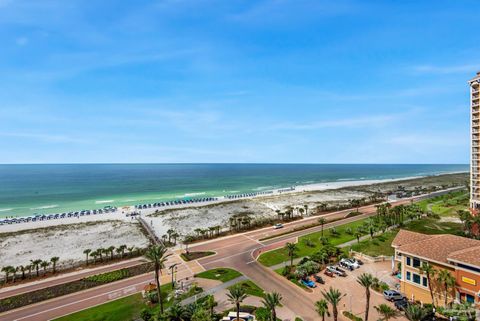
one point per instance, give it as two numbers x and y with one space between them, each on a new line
355 294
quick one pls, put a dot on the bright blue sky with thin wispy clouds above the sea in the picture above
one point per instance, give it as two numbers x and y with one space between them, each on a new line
236 81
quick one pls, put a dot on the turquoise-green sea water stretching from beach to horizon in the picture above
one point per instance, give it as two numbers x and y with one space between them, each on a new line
29 189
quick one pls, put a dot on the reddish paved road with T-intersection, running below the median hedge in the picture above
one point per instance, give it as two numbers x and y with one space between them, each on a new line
238 252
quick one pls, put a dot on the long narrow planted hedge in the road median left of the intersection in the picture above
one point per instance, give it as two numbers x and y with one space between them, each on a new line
55 291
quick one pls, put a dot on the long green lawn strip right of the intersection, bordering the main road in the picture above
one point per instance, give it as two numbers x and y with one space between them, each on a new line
280 255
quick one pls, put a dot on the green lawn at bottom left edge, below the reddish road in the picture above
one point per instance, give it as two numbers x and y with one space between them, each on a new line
123 309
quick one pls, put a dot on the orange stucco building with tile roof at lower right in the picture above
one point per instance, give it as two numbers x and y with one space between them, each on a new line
460 256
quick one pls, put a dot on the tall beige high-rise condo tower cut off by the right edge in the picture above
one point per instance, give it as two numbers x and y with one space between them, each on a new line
475 142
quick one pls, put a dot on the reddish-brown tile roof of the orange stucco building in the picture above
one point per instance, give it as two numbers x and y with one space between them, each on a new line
440 248
